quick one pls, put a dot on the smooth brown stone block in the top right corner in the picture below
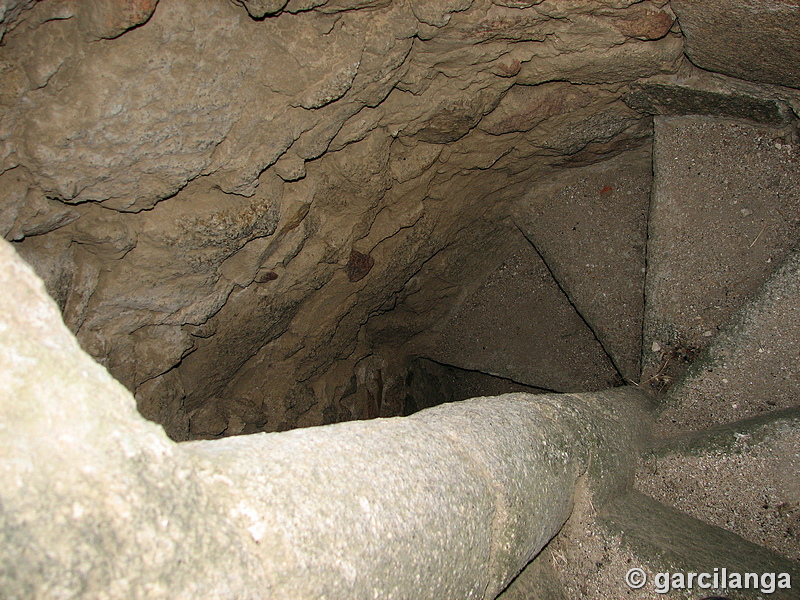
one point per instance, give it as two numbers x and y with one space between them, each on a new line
758 40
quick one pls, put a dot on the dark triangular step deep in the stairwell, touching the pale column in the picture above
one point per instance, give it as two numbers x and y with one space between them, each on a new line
521 326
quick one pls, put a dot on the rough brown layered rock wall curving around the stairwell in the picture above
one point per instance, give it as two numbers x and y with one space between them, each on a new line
227 198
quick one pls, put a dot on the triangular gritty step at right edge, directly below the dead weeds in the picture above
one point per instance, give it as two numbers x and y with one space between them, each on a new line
752 367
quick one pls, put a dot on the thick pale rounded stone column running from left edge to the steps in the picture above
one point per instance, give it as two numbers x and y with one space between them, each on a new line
451 502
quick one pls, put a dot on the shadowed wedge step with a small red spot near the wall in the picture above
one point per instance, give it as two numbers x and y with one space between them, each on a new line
590 226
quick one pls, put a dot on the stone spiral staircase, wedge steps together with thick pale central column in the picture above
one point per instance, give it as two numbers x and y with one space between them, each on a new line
692 469
